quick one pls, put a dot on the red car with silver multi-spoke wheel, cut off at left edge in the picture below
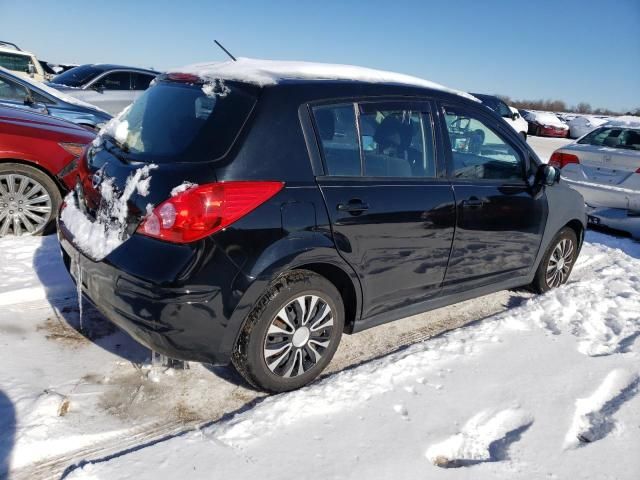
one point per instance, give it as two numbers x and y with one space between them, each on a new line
38 156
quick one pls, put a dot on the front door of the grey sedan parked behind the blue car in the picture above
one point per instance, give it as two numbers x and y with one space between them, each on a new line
111 91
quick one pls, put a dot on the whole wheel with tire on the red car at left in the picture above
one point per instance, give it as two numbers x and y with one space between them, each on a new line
29 200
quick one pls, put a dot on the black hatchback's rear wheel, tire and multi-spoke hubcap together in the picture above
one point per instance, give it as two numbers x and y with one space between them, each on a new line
291 334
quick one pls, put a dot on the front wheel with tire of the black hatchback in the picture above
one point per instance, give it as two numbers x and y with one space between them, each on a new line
558 261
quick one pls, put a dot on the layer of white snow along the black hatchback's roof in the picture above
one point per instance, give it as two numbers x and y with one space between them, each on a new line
272 72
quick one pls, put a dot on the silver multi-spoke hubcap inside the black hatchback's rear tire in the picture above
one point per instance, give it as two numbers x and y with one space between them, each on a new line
298 336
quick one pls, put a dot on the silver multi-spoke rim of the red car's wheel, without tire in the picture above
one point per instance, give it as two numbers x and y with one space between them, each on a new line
25 205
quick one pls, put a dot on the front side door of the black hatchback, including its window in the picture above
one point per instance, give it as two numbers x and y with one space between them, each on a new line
500 218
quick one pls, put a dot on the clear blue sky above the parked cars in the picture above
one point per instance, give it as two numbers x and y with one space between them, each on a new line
566 49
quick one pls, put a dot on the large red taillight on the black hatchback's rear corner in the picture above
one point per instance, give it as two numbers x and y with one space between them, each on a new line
202 210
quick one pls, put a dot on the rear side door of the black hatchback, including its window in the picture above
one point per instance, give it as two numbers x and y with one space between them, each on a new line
391 212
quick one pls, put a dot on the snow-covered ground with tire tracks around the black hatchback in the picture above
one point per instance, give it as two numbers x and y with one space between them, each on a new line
537 387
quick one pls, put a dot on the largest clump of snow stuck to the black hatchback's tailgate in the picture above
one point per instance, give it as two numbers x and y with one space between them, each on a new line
100 237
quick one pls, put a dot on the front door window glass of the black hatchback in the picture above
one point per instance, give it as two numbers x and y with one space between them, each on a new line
478 151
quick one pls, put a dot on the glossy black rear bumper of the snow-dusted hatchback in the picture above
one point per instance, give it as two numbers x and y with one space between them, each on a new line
160 298
